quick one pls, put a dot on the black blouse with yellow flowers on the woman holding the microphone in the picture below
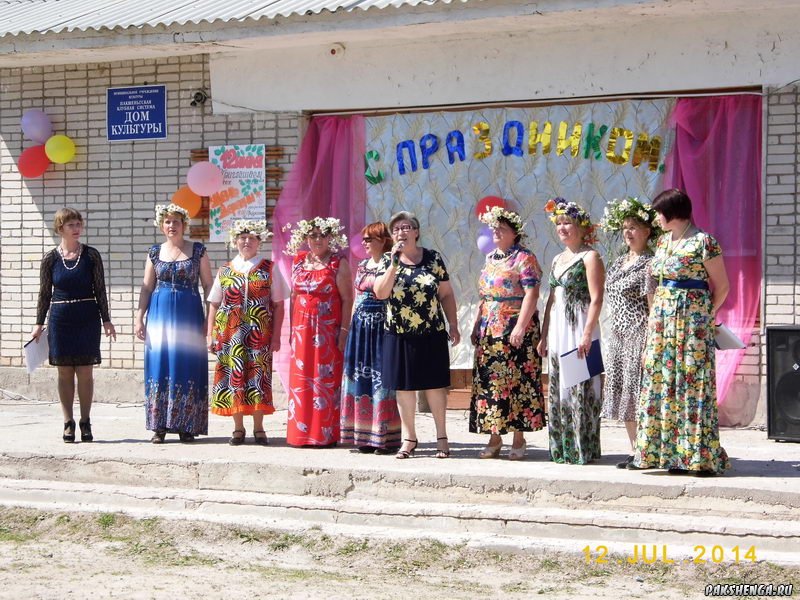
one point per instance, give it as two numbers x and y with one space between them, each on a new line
414 308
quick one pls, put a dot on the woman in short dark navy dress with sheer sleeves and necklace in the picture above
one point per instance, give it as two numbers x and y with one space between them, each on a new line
72 288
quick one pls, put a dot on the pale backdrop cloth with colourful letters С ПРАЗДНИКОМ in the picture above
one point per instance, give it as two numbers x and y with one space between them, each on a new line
439 165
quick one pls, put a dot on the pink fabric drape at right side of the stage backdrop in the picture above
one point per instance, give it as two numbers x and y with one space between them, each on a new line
717 161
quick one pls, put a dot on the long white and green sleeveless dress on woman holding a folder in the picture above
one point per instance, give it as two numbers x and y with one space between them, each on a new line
573 412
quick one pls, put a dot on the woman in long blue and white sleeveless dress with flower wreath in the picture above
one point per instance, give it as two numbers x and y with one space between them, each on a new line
171 323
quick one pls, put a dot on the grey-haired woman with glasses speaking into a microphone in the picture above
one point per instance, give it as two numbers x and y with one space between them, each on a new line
415 352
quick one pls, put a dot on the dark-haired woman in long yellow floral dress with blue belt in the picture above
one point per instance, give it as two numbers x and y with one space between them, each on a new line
677 417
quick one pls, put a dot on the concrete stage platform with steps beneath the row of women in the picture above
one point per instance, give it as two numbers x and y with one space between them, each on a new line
533 505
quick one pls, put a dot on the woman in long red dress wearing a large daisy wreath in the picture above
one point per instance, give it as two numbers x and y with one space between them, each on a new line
322 297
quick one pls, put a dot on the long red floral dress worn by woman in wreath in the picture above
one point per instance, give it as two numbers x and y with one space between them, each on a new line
315 370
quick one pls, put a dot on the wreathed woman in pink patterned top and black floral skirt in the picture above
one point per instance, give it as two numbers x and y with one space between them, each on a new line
506 383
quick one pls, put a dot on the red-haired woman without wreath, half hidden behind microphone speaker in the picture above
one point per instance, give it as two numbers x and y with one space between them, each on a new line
369 410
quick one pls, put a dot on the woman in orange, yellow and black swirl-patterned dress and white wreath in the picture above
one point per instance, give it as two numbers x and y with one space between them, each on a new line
244 322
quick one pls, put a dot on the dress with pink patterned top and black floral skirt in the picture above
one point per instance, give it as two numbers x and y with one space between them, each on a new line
506 381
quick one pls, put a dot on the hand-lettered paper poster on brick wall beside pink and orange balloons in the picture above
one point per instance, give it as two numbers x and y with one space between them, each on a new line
242 195
